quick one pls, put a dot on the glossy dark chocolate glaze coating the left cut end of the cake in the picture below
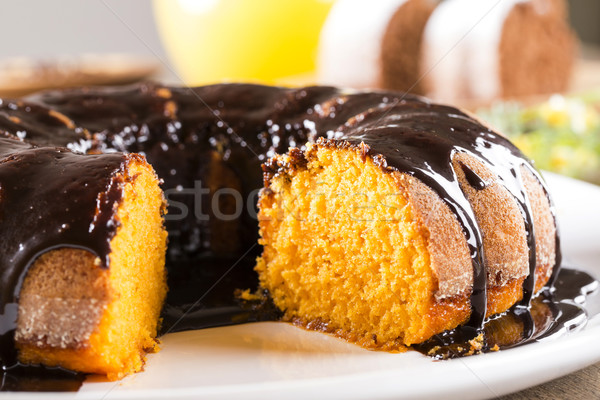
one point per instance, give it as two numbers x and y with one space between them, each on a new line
50 198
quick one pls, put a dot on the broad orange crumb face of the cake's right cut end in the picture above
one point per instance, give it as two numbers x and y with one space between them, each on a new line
343 252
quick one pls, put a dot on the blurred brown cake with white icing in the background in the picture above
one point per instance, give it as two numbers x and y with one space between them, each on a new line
454 50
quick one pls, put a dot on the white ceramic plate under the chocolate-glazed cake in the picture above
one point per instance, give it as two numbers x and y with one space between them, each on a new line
269 360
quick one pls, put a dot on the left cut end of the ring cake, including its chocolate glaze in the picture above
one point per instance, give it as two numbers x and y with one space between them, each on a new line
83 277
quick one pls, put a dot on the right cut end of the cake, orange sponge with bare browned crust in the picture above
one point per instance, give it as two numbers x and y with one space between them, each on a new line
359 248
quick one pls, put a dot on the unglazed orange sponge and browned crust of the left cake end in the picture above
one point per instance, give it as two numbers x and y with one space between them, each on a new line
116 309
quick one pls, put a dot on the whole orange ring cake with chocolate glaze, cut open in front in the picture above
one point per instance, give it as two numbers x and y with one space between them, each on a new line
377 224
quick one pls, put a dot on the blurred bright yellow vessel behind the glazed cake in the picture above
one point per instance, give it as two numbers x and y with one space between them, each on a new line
262 41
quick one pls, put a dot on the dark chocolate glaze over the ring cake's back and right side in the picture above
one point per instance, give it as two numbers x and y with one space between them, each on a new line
187 134
